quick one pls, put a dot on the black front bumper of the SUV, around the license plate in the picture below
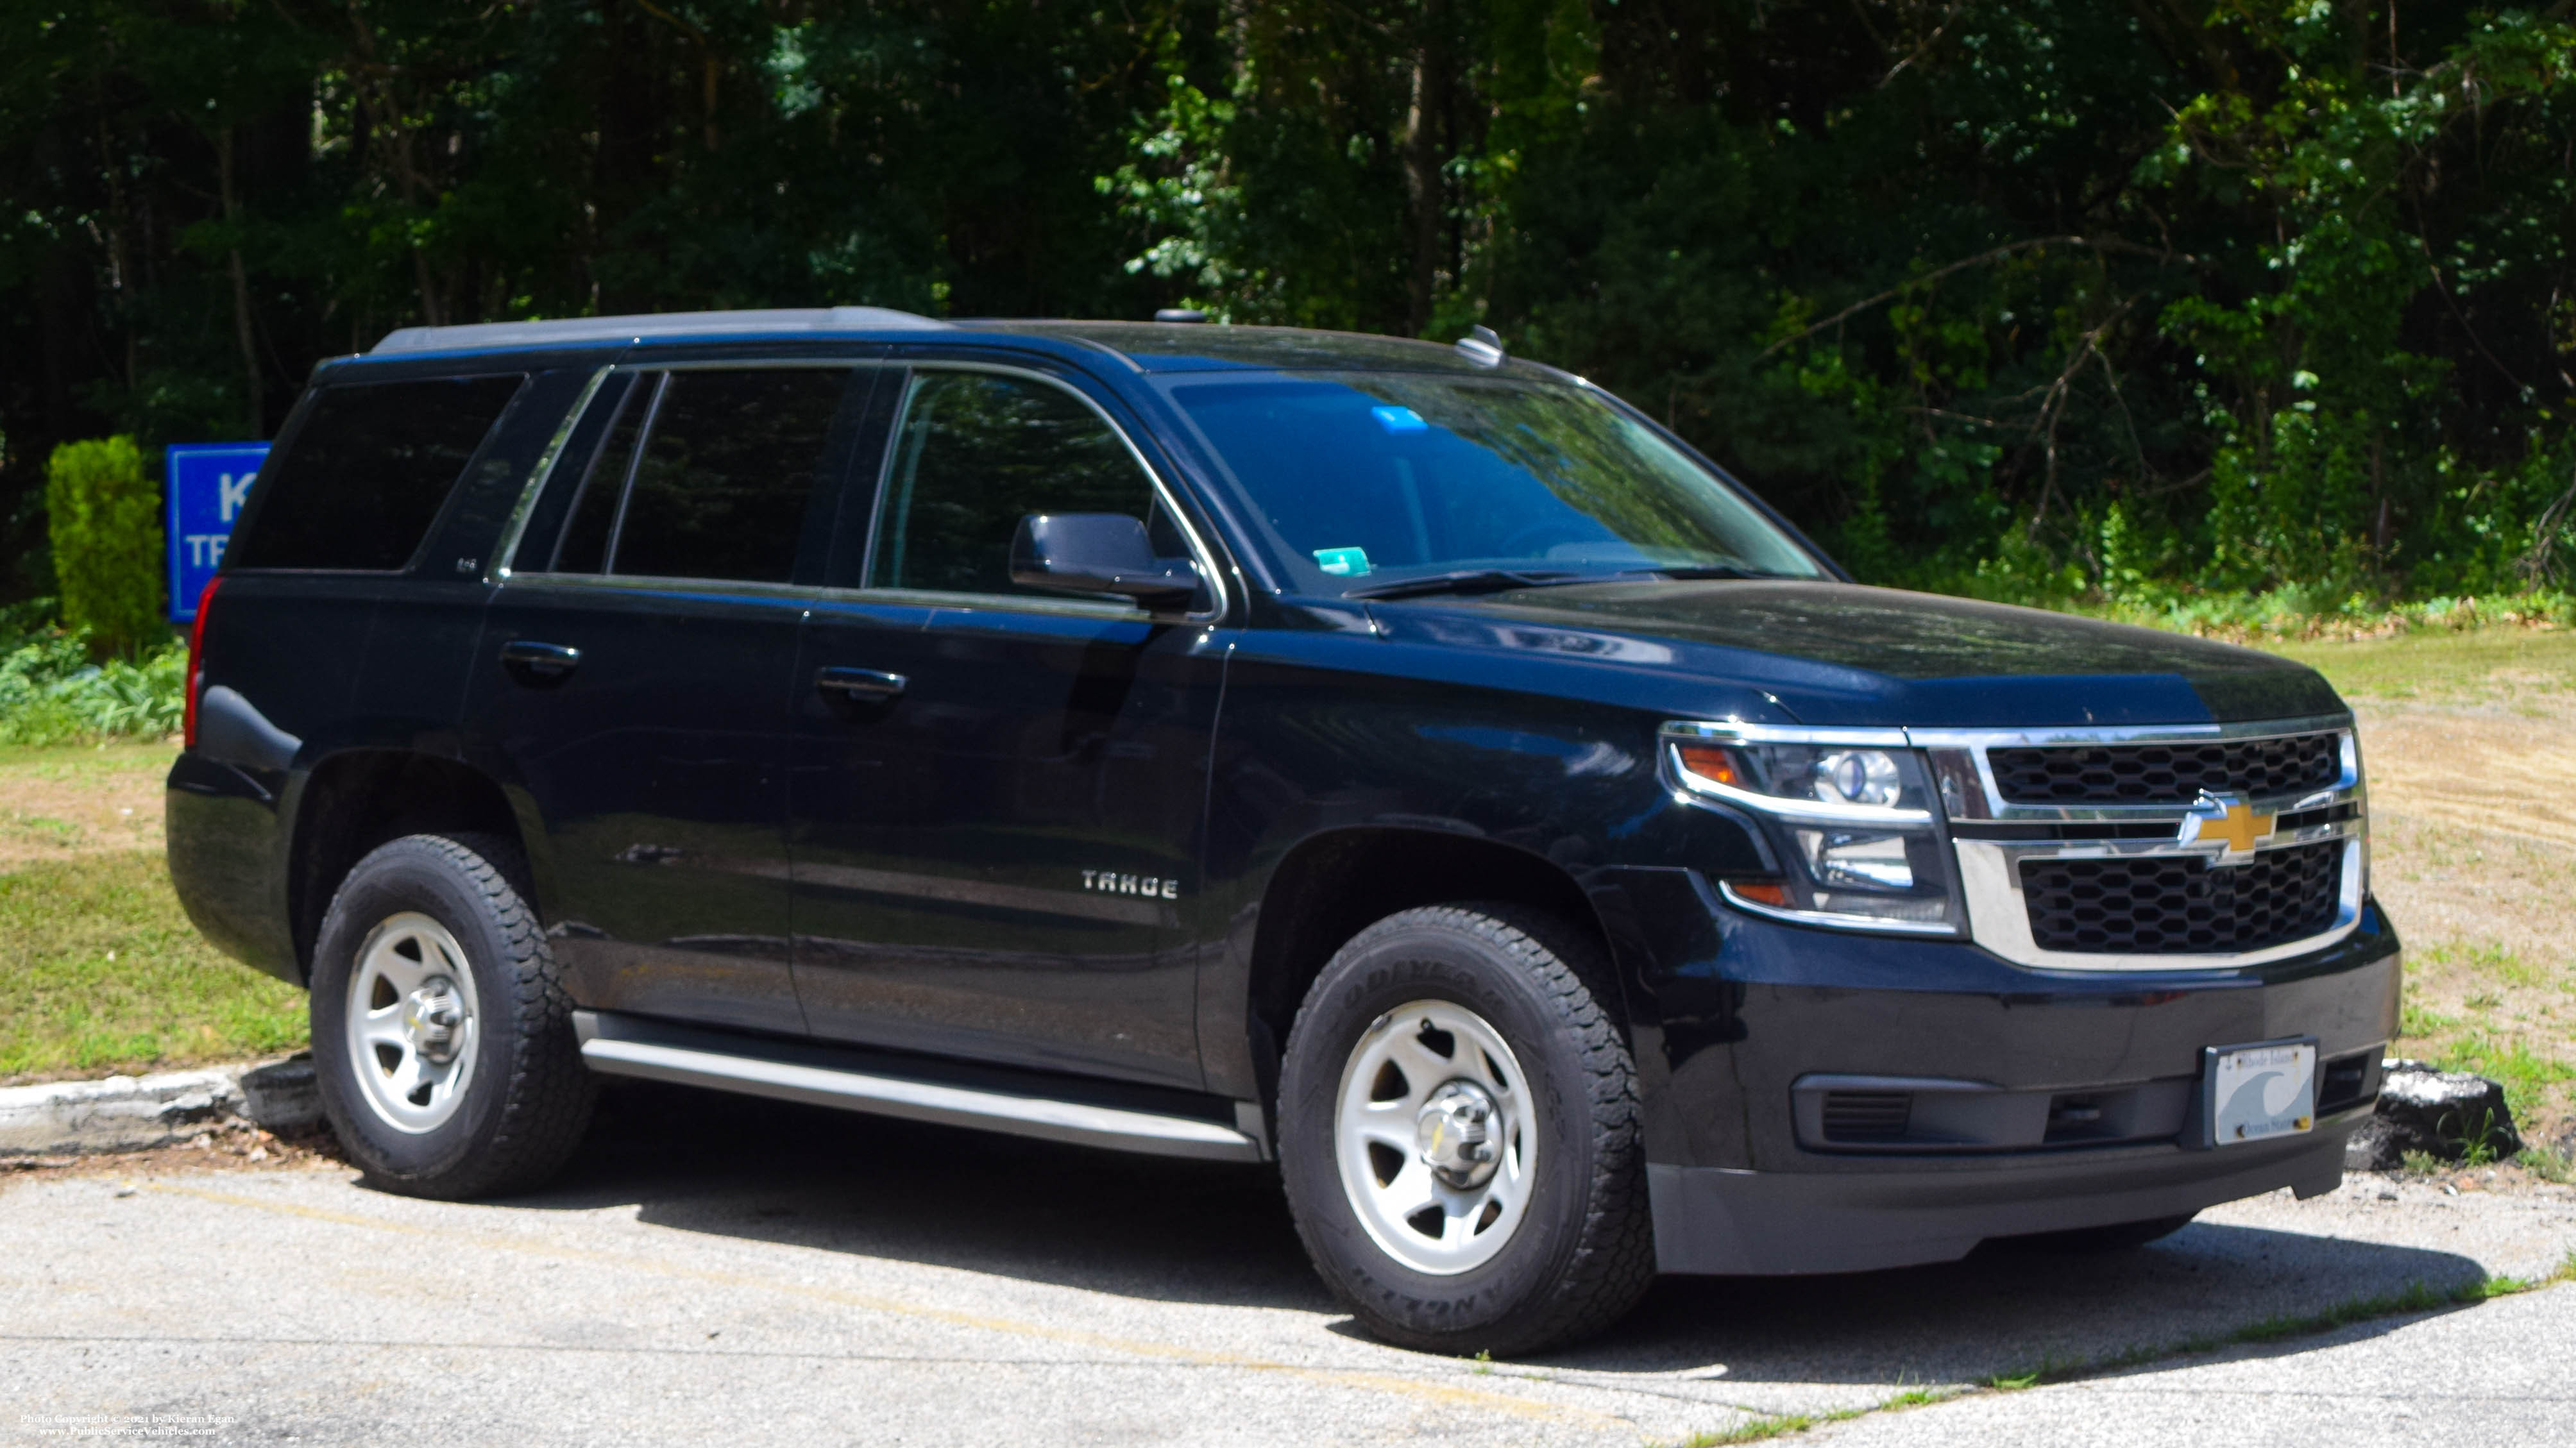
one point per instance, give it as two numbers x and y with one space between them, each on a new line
1732 1014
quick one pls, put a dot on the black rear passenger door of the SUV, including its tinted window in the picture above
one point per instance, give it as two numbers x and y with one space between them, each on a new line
635 681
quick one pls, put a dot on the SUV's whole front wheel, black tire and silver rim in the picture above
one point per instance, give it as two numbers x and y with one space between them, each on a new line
1459 1132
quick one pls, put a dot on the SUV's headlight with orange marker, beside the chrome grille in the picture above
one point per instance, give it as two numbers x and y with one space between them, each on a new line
1851 818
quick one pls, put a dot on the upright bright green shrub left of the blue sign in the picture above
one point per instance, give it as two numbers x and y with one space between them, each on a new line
104 519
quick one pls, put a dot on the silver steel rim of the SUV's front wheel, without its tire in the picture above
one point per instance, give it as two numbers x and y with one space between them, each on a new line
1434 1138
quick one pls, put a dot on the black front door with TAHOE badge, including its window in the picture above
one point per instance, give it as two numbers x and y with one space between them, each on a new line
998 792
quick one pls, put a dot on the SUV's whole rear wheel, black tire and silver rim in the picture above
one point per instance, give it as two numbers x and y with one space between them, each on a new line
442 1032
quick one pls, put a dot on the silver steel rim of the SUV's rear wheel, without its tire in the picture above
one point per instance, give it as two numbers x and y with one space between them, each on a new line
411 1022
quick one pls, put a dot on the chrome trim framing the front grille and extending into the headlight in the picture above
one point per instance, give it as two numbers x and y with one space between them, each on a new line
1998 916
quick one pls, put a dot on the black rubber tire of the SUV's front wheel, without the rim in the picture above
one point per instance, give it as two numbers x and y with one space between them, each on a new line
1583 1251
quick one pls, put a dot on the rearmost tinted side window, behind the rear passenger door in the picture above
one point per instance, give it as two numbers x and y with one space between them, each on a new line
370 470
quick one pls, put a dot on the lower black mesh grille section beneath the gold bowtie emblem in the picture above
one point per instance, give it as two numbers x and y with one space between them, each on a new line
2181 906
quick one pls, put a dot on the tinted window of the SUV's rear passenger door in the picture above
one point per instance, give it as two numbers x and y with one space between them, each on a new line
720 481
